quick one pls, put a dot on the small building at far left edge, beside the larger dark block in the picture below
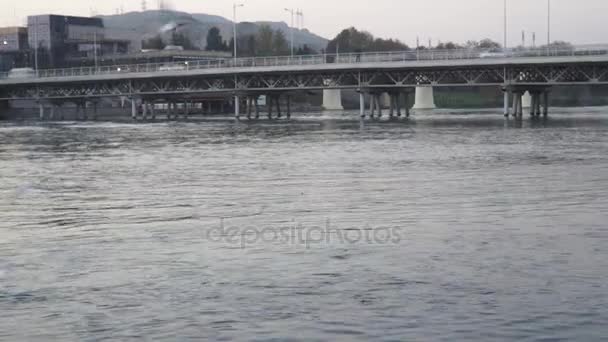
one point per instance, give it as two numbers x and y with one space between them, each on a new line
13 48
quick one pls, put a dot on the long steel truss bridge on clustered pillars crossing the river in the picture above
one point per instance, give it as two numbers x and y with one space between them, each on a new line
181 85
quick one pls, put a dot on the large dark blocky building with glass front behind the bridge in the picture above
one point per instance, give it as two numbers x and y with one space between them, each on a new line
66 41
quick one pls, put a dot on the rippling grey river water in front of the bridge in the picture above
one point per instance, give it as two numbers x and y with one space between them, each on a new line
445 227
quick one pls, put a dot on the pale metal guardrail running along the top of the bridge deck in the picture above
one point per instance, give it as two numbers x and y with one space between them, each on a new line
347 58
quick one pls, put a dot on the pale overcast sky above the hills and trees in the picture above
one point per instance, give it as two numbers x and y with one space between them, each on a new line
579 21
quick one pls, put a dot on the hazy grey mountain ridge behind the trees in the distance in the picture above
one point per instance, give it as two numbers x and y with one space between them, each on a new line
137 26
